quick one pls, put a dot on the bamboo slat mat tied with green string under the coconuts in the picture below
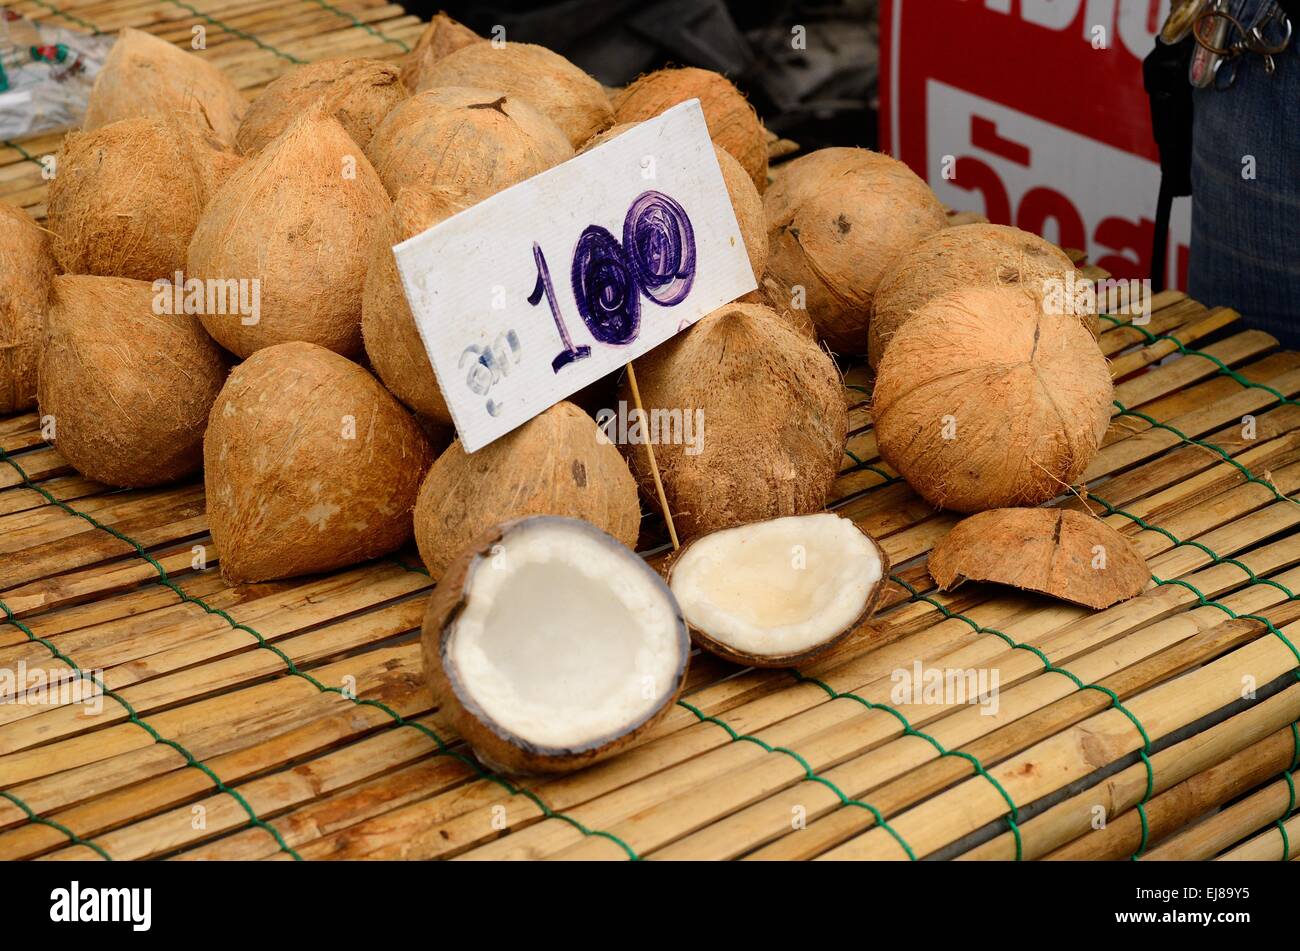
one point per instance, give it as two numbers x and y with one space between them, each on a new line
291 720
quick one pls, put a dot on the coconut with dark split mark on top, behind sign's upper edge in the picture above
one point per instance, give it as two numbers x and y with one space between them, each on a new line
475 142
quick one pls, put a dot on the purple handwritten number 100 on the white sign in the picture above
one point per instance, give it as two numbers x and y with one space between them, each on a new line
656 259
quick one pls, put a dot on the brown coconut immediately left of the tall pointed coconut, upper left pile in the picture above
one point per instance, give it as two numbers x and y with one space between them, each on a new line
129 196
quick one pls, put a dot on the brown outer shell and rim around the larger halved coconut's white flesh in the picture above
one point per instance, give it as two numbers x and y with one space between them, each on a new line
493 745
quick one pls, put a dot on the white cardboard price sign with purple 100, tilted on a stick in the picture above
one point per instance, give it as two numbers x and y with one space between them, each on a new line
551 285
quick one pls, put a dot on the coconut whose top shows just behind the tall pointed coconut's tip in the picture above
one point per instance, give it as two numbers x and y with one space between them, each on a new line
358 93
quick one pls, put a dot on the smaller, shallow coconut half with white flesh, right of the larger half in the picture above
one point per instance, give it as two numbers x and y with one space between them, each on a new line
779 593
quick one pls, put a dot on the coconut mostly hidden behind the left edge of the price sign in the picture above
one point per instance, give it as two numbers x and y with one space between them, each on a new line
393 341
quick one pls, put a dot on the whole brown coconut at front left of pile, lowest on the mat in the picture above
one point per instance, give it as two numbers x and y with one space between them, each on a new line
309 466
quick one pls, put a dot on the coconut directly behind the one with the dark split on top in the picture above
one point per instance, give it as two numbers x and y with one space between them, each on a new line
558 89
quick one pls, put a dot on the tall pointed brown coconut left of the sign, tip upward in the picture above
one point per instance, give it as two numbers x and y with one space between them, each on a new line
300 218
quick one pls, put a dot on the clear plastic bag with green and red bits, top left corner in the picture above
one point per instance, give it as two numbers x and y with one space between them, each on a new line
46 75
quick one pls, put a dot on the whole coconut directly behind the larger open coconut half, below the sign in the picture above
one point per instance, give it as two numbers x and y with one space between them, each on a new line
554 464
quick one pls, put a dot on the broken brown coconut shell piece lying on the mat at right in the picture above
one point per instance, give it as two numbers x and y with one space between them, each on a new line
1054 552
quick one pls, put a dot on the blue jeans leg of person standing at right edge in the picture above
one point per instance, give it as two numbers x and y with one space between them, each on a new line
1246 232
